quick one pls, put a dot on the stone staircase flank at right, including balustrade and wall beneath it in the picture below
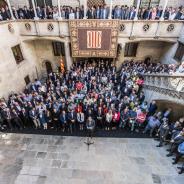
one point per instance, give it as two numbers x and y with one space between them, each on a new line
164 87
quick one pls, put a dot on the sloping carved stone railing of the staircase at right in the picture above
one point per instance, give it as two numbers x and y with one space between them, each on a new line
165 84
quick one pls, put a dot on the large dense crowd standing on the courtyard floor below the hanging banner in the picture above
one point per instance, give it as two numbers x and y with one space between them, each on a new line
93 96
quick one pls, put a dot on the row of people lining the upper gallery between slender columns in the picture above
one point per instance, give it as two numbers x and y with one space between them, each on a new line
123 12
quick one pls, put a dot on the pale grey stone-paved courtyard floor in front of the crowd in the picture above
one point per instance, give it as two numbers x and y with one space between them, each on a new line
44 159
